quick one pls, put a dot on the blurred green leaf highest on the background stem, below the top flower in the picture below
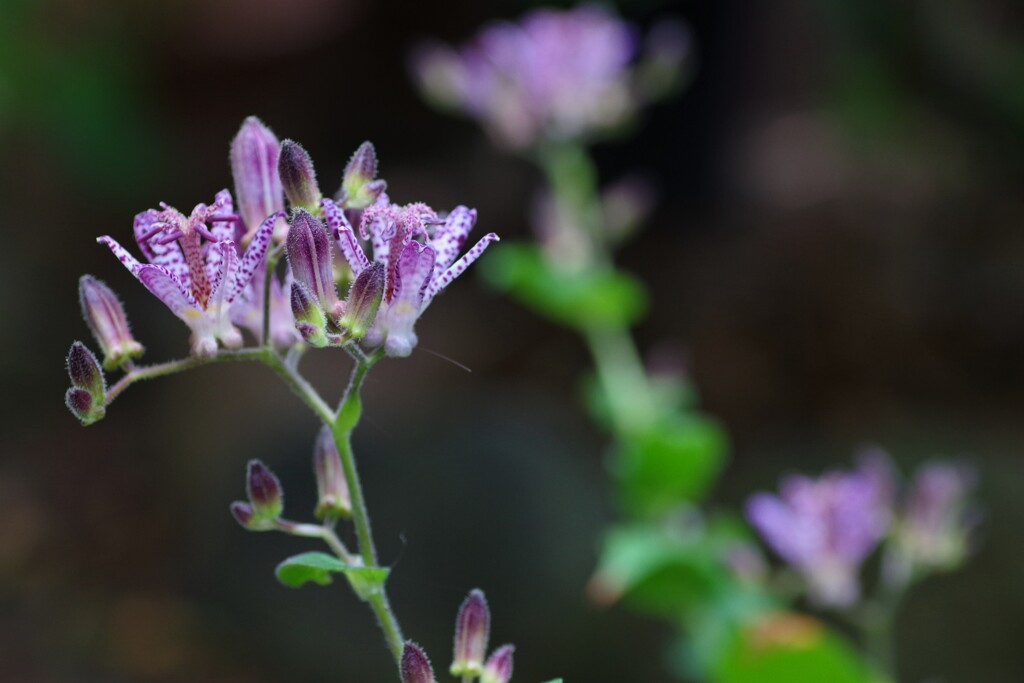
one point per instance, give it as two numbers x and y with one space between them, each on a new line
588 300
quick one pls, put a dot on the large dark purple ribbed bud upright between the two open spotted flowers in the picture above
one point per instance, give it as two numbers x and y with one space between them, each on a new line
312 261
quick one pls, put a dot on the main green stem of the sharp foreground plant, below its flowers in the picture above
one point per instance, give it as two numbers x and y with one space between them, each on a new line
348 417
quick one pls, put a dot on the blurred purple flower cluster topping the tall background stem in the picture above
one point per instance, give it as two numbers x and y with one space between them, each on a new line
556 74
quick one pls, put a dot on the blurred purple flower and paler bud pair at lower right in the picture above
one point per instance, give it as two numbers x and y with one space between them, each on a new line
826 529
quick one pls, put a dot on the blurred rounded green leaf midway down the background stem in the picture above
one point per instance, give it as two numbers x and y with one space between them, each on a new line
675 460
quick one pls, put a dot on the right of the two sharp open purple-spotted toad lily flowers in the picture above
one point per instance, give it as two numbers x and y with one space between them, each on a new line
418 251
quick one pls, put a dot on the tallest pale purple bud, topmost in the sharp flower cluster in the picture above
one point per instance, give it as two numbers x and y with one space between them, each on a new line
255 152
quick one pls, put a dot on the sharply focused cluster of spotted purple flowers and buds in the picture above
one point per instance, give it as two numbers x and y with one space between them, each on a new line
217 268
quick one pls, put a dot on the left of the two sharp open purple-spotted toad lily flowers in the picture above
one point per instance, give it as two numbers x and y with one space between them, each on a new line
197 282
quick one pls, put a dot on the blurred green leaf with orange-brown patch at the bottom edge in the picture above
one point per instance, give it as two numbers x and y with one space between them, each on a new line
784 648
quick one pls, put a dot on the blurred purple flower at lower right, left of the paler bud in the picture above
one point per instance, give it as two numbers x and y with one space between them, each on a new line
825 529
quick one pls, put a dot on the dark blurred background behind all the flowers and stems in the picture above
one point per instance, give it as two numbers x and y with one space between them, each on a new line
838 255
